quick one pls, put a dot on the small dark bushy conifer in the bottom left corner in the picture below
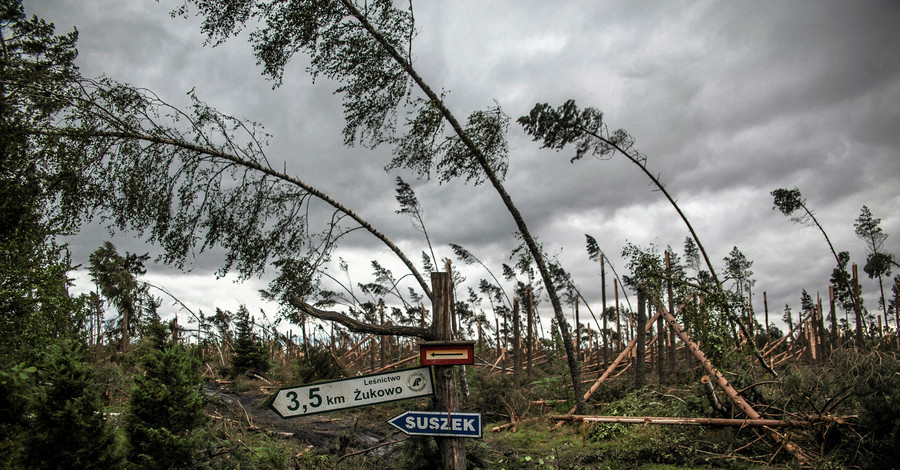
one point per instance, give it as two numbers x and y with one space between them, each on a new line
69 428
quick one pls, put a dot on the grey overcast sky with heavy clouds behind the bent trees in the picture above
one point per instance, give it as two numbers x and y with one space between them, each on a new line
728 101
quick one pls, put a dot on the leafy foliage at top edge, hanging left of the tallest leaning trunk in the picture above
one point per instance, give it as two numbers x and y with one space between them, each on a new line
373 84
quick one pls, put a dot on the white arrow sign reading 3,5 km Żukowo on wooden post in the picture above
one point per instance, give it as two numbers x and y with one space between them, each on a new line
364 390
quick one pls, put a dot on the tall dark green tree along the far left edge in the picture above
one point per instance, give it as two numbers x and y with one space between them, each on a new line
39 194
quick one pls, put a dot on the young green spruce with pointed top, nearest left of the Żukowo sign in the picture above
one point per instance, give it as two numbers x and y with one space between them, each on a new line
165 406
